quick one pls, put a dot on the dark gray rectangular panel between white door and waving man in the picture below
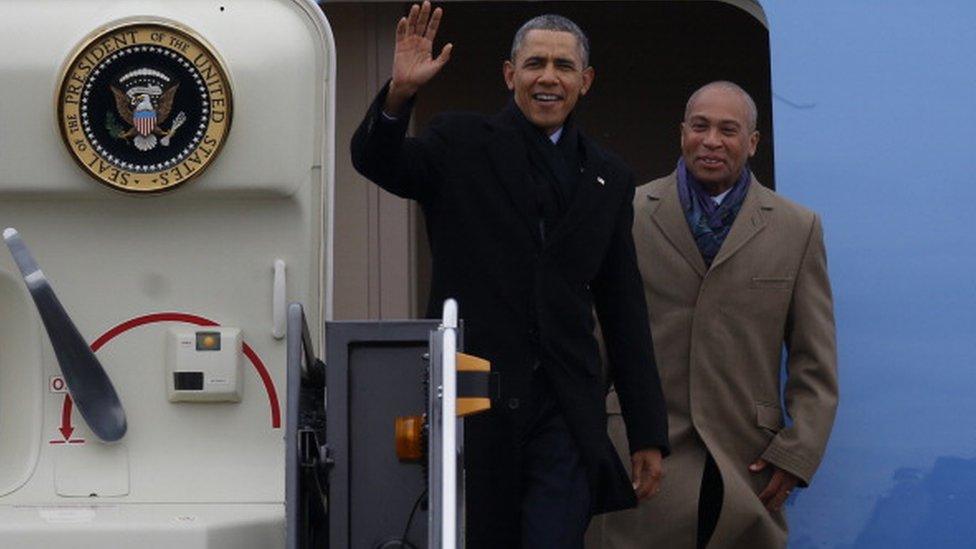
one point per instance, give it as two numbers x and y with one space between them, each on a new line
376 372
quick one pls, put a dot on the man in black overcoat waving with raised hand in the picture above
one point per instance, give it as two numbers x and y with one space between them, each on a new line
530 230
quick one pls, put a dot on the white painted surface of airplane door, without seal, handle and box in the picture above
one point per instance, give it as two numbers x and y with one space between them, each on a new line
203 249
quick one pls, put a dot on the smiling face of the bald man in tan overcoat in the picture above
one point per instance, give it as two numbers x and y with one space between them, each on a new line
717 137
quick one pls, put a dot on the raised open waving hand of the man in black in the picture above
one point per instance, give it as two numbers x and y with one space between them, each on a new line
413 61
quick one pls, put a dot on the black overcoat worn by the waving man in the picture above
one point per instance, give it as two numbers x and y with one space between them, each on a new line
526 302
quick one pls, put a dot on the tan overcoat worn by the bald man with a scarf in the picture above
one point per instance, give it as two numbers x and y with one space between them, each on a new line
719 336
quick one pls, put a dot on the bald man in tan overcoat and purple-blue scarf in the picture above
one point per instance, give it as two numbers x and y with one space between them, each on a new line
735 277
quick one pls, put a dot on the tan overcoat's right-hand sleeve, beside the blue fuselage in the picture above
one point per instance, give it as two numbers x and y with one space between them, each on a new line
811 384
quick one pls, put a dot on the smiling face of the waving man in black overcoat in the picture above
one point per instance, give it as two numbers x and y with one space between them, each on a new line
548 77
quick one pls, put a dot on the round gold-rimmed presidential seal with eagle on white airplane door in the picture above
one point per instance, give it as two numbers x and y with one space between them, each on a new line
144 107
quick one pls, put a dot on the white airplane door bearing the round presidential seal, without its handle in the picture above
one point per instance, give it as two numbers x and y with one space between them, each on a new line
169 166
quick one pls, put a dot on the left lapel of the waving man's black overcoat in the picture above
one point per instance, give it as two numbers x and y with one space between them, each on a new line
509 160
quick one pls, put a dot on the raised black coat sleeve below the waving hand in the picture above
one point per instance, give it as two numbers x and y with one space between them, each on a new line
383 154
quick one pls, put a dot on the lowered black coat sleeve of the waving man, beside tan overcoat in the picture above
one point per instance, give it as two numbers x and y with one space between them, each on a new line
619 299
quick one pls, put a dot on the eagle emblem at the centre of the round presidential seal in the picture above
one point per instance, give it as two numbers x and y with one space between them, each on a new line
144 106
